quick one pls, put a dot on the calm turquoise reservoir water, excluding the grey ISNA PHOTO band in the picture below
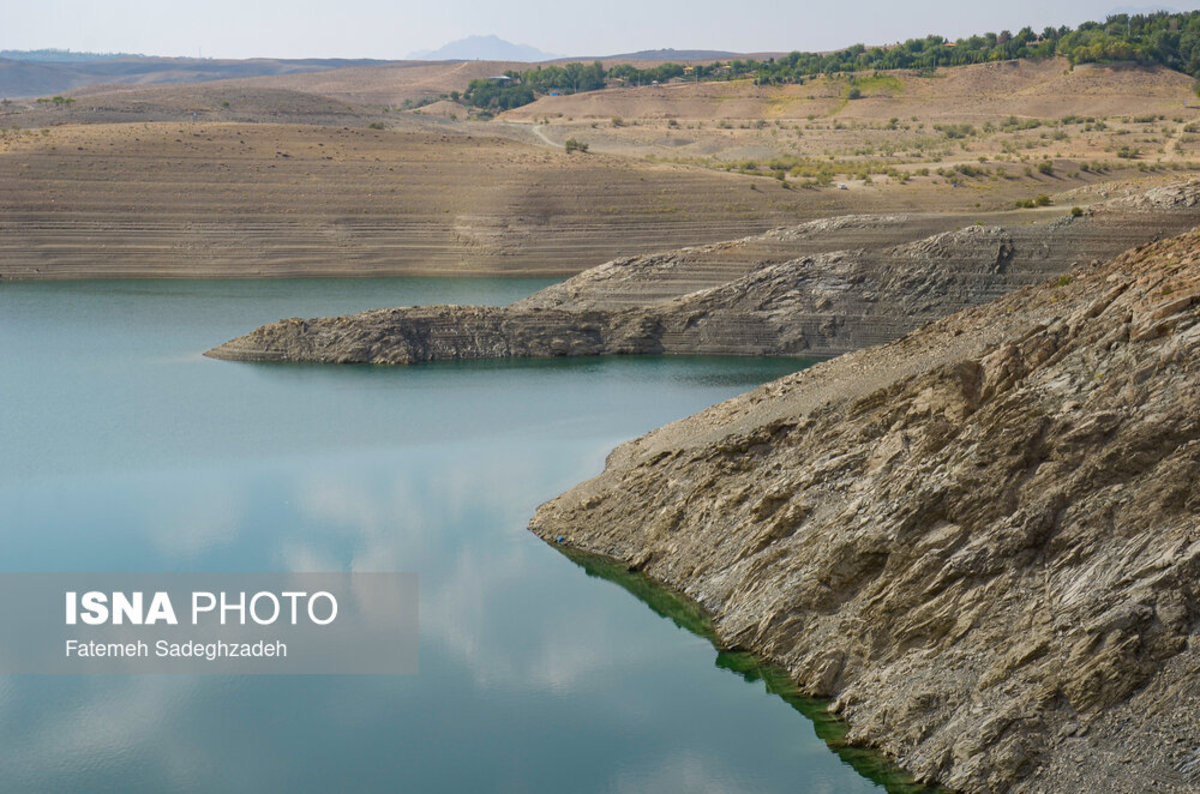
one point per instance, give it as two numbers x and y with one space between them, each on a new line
127 450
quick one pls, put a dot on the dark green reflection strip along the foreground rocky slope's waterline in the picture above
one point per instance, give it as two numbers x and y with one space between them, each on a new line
688 615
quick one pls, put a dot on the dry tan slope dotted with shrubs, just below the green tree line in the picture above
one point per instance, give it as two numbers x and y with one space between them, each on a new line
988 128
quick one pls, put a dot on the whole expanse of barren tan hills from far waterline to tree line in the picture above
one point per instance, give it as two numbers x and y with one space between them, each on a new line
321 175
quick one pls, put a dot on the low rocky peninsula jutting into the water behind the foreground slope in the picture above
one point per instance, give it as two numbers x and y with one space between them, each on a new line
790 292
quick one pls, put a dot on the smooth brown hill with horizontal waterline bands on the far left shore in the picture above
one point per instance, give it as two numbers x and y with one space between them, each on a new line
271 200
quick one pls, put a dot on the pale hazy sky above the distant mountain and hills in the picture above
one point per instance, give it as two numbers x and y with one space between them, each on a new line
391 29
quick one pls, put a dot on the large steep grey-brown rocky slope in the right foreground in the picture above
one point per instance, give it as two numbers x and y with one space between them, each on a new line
983 539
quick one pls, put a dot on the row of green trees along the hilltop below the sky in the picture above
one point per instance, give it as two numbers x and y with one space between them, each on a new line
1172 40
